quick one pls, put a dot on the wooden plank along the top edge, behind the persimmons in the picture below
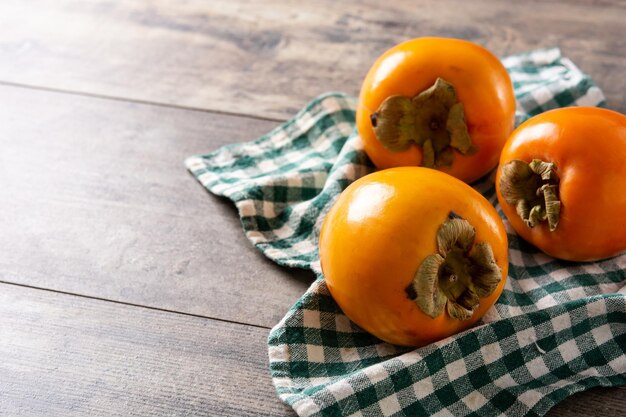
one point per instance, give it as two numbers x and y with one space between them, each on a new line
268 60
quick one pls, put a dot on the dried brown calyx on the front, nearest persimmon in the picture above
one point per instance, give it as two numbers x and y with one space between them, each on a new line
458 275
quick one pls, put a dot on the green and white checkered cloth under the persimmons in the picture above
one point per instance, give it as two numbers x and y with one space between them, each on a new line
558 328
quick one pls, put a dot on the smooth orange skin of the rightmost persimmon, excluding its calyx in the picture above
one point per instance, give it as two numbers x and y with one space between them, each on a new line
588 146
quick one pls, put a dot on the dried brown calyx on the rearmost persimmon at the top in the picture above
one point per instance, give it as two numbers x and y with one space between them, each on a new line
434 120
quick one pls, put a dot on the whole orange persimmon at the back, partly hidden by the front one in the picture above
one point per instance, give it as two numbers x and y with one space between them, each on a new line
440 103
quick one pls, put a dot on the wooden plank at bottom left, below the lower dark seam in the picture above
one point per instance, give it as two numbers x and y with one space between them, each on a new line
69 356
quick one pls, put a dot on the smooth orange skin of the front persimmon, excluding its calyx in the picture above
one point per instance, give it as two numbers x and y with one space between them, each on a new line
377 234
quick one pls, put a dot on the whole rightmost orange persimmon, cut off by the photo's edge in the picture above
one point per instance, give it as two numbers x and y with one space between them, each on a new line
562 182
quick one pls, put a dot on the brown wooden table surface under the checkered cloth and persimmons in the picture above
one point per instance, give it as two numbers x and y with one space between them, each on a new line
125 288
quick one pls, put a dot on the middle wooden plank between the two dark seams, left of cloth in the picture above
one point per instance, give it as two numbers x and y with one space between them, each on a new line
96 200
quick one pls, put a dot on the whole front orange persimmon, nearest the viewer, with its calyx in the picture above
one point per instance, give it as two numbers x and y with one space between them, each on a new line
413 255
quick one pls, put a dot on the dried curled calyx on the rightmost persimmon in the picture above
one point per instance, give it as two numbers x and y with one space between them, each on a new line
533 189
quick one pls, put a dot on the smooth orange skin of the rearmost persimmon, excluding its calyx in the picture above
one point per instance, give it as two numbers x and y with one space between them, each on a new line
481 83
